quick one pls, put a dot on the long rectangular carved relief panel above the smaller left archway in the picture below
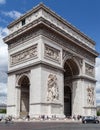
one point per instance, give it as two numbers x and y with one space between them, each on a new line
24 55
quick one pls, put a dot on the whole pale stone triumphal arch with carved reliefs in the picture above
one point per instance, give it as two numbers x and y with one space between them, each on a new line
51 67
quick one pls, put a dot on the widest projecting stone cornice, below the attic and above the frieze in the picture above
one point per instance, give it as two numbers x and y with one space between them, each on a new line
42 22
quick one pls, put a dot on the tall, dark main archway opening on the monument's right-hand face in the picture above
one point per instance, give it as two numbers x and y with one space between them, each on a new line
71 70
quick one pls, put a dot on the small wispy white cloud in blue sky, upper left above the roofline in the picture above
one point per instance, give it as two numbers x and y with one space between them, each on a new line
12 14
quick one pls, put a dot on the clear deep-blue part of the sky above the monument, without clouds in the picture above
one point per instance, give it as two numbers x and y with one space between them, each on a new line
84 14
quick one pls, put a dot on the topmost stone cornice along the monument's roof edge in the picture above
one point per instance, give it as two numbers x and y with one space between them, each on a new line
52 13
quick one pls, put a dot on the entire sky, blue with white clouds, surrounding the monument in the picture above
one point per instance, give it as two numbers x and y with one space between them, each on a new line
83 14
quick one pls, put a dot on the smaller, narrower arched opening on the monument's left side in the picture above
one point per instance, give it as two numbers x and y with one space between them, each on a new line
24 95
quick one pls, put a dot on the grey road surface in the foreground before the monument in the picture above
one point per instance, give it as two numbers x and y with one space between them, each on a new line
48 126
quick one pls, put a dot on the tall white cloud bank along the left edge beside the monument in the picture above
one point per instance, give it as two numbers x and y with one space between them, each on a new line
3 66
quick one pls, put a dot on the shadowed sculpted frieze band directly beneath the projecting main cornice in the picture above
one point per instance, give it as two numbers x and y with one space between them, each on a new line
59 39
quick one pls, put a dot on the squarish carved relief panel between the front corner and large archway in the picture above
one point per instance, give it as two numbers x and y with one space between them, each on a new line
52 53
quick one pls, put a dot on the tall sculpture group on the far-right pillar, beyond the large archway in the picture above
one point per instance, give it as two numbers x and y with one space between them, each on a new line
90 96
